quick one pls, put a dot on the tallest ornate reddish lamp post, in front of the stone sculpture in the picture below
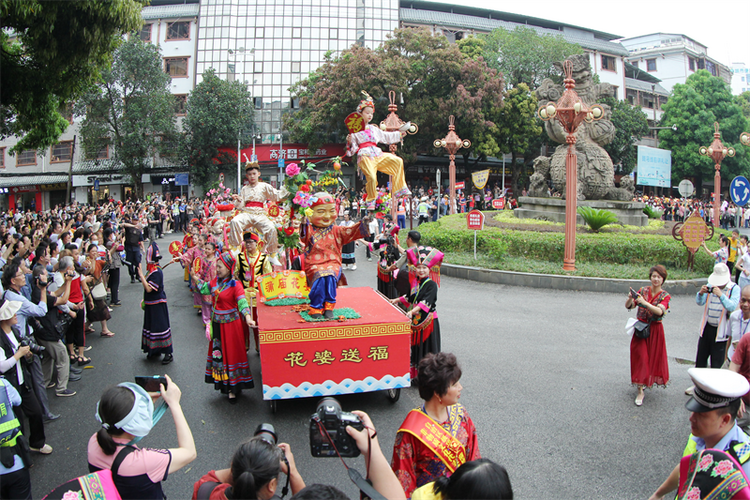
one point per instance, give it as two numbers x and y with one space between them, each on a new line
570 111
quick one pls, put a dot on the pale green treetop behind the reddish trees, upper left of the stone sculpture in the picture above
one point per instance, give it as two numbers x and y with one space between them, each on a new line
524 56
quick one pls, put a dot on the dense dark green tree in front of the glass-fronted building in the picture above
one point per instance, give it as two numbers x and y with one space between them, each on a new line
218 113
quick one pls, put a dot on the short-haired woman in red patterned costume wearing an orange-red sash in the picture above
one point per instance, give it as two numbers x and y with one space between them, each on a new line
438 437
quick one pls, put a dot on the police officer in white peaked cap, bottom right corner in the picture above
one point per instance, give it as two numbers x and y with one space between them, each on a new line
714 405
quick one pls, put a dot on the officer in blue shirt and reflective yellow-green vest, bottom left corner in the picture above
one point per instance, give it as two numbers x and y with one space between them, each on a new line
15 482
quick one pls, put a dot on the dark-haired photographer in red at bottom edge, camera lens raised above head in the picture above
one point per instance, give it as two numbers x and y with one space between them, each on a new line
254 471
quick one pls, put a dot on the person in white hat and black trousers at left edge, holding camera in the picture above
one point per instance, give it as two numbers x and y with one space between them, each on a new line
14 366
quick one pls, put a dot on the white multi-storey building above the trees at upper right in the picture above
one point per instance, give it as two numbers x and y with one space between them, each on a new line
672 58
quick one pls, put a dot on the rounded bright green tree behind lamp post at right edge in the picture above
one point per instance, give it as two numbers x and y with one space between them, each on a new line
694 107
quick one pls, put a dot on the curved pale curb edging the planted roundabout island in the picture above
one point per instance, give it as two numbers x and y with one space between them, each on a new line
557 282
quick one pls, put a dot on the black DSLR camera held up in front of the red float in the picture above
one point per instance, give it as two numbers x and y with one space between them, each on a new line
330 422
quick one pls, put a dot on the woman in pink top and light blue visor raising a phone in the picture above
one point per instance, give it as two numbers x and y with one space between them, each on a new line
126 413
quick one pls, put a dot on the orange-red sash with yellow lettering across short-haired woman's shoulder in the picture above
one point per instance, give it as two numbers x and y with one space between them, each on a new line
442 443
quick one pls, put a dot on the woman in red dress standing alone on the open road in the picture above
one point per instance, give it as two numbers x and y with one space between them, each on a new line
648 357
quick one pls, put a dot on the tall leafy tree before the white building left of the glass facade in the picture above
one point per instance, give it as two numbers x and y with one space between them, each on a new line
131 110
